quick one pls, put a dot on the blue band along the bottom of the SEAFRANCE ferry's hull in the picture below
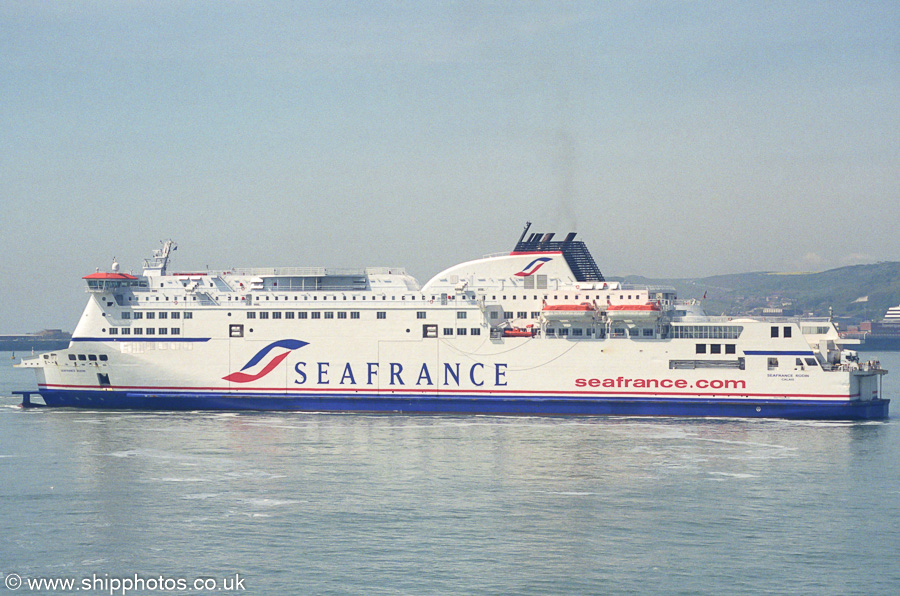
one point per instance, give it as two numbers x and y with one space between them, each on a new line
475 404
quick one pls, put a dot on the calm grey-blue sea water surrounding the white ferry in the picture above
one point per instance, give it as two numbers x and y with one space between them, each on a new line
357 504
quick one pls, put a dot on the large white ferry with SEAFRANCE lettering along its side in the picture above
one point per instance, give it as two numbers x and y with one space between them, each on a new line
535 331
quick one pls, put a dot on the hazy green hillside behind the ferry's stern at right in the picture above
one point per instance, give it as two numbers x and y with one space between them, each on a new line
856 293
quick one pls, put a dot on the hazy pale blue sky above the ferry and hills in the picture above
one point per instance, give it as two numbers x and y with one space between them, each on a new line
679 139
